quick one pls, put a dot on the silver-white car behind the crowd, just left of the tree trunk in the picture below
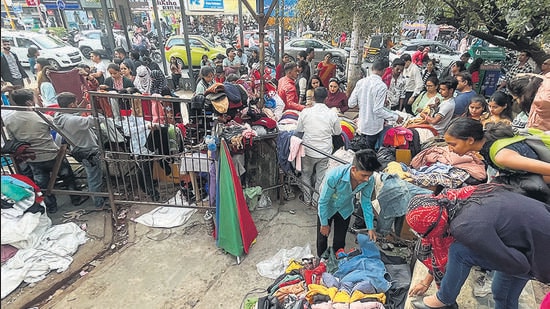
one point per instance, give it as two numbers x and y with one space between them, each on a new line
339 55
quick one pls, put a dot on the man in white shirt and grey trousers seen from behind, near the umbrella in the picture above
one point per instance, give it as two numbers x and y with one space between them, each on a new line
319 124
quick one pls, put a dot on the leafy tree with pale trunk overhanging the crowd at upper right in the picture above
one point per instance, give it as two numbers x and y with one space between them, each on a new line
514 24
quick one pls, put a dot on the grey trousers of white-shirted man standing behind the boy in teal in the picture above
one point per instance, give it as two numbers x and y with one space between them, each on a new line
313 172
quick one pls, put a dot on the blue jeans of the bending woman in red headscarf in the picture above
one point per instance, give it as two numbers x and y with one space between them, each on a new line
506 288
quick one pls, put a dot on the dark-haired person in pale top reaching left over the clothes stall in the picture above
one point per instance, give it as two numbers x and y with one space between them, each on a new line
444 111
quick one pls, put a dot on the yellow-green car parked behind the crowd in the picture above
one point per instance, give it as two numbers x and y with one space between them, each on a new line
175 46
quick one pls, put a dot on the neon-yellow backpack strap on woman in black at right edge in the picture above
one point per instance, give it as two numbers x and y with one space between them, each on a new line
537 139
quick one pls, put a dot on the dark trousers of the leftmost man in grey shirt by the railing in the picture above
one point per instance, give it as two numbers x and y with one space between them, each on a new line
41 172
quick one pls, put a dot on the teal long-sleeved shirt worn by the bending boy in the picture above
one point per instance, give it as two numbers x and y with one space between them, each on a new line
337 196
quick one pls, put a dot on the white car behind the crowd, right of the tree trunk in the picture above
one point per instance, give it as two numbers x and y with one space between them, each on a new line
439 51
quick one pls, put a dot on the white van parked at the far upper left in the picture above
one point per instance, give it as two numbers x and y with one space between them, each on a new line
59 54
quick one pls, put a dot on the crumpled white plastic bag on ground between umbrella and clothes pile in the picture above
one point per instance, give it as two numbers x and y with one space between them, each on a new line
275 266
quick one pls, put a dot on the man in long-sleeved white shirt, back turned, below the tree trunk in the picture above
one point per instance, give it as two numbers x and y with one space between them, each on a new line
370 95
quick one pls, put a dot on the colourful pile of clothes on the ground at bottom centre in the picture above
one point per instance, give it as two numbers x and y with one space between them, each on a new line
354 279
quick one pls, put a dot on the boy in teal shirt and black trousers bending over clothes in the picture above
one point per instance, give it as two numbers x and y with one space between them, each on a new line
336 199
